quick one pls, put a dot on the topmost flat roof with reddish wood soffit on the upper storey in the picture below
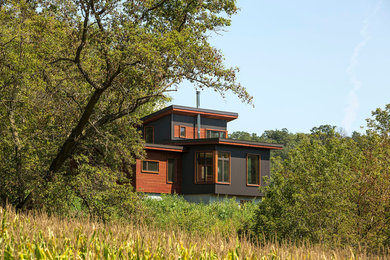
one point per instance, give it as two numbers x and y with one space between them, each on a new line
192 111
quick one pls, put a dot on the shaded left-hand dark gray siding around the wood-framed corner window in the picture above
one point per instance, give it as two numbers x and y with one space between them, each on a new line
188 172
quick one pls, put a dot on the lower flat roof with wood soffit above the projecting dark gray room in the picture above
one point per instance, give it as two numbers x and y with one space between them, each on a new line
226 142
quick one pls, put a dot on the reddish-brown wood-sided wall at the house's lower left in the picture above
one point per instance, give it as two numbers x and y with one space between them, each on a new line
157 182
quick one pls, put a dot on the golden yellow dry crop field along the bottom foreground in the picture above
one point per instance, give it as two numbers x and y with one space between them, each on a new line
38 236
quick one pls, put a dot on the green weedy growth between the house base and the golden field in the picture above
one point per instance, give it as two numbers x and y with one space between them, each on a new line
224 217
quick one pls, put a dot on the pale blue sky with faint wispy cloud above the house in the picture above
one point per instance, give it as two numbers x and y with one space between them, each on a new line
306 63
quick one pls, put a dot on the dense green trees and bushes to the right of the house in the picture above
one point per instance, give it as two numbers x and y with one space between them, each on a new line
327 187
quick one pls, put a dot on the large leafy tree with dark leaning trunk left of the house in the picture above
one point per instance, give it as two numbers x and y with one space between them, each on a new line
90 68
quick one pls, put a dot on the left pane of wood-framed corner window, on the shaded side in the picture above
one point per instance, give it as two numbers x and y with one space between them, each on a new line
204 167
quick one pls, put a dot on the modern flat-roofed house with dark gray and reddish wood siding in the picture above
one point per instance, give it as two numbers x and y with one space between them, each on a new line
189 153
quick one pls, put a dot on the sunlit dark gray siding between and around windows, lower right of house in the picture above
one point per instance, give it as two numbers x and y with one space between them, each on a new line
238 184
